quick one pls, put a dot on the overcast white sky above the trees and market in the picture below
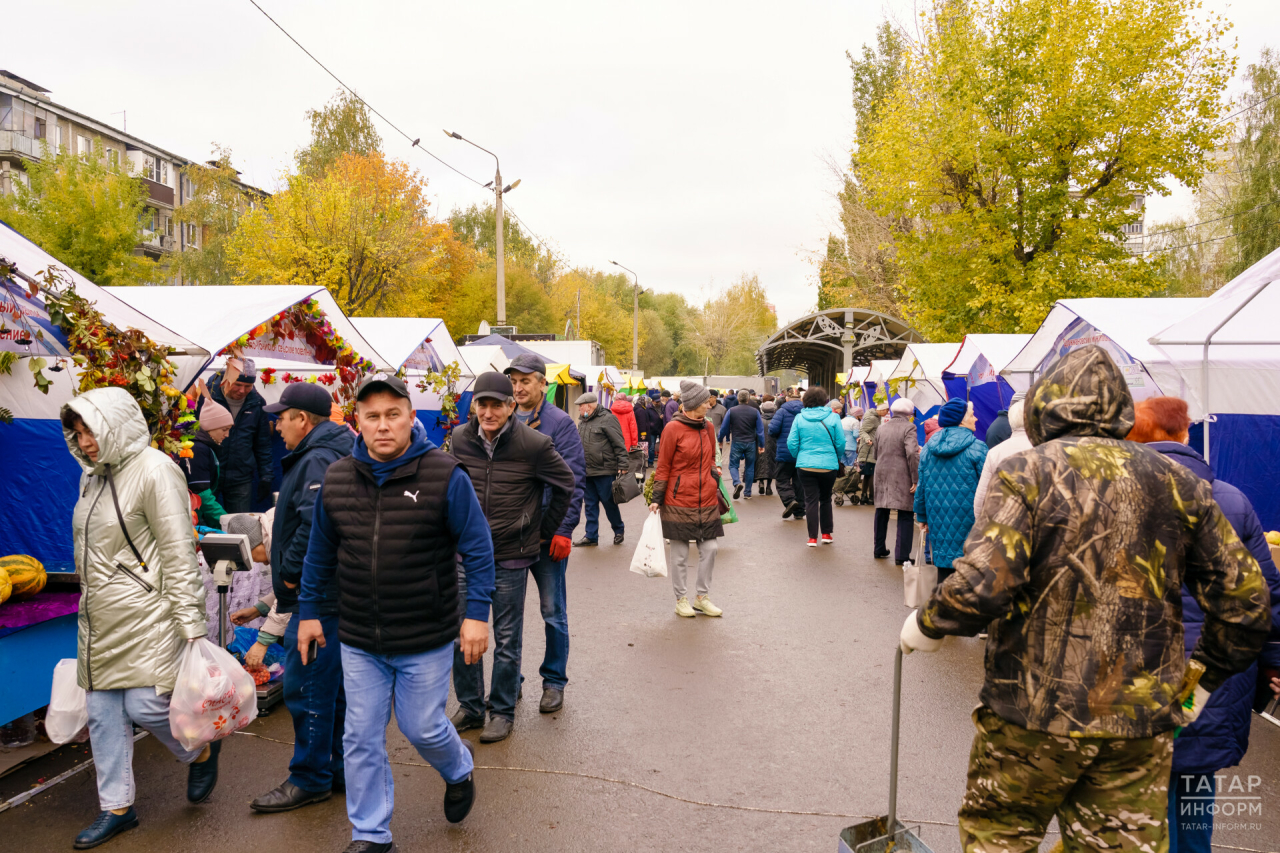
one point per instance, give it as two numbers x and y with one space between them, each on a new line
685 140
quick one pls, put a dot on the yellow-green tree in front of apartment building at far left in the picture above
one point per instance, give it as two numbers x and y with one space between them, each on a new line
86 212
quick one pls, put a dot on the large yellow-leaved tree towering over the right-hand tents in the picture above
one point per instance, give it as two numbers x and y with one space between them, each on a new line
1017 140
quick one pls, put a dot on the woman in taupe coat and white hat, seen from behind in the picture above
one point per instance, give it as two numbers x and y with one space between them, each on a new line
897 460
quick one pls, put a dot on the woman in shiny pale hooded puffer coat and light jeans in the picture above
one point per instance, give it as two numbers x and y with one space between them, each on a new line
141 597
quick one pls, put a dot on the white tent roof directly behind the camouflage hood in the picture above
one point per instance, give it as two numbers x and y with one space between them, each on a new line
1119 326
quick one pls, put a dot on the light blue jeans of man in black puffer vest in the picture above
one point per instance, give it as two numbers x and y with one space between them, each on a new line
418 686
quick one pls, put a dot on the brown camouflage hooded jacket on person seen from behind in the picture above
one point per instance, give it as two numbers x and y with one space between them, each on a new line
1078 564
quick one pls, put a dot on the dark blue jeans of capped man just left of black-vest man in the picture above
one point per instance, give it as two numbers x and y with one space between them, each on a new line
316 699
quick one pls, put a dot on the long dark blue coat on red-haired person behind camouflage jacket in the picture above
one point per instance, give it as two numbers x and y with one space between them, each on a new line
1220 736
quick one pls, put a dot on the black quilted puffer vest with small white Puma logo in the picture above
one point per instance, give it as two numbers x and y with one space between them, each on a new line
397 577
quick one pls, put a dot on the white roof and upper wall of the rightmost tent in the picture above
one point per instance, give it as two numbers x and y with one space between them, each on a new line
1228 352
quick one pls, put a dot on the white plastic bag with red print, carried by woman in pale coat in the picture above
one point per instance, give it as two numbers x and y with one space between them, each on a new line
213 697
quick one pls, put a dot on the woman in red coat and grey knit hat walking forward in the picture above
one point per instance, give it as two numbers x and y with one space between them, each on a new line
687 492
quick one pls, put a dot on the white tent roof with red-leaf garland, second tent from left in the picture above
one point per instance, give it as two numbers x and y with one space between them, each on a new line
216 317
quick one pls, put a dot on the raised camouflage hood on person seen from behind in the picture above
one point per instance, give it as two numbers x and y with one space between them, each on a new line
1082 394
